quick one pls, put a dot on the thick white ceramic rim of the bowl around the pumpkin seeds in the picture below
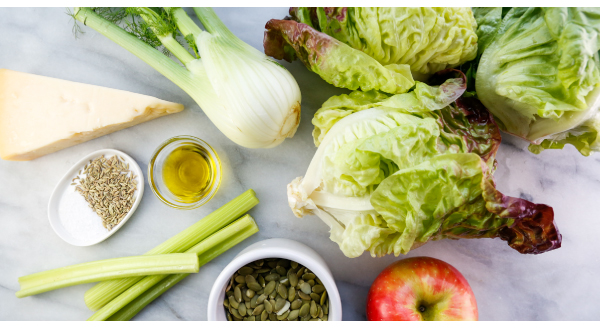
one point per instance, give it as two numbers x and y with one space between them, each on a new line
275 248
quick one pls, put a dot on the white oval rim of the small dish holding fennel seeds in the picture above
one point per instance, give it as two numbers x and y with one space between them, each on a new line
64 186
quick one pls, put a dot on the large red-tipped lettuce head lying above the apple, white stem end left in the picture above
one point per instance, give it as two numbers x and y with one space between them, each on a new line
394 172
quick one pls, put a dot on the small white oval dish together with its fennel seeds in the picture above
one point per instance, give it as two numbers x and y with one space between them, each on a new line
96 197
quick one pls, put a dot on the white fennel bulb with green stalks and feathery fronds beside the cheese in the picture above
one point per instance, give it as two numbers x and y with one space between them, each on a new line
252 99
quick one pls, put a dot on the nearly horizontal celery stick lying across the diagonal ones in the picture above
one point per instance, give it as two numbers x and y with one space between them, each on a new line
122 267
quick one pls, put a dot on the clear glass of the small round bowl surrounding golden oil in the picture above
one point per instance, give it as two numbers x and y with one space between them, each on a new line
155 174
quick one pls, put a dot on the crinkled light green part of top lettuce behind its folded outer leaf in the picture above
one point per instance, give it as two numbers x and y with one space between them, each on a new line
427 39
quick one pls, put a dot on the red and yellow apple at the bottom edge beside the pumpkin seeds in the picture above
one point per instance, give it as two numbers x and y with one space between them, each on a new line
421 288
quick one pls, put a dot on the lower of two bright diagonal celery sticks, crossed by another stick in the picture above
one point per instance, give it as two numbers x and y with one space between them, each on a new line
206 250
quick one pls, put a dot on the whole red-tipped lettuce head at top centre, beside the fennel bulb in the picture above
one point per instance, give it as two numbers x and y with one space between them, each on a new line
374 48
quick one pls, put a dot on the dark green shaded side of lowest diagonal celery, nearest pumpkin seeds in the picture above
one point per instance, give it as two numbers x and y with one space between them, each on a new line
134 307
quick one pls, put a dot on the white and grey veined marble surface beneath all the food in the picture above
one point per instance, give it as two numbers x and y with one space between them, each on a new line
562 284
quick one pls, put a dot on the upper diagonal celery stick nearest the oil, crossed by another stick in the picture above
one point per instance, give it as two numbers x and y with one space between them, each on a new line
102 293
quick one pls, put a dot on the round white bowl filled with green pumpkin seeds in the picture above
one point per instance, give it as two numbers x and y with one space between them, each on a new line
275 279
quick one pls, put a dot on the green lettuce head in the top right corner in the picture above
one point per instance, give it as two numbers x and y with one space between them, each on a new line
539 74
